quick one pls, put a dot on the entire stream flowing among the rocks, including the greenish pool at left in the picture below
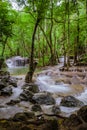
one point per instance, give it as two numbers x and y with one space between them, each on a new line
50 80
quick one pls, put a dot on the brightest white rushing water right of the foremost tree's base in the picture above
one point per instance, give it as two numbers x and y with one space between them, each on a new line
46 83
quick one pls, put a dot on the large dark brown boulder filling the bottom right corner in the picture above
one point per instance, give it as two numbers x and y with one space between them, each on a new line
77 121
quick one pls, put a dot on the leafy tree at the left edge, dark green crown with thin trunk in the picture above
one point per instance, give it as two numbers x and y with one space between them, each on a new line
6 22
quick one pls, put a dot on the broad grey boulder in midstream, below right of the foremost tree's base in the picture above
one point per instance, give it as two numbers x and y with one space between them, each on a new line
43 98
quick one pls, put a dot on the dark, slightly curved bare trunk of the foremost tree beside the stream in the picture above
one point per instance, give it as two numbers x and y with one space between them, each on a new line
33 64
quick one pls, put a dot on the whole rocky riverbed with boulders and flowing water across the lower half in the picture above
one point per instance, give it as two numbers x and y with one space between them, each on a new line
52 101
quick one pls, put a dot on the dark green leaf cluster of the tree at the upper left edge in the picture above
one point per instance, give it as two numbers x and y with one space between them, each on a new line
6 21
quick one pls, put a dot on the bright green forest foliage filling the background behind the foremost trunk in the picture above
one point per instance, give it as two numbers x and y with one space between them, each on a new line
18 27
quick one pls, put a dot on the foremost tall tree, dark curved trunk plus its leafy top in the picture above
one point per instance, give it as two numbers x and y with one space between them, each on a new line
40 8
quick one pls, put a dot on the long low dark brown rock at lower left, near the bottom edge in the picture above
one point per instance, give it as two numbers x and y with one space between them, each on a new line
23 116
